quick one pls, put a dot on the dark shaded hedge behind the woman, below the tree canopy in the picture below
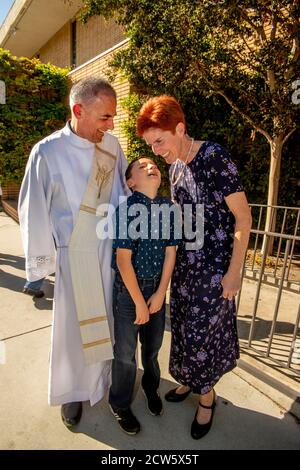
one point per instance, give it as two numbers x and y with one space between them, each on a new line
212 119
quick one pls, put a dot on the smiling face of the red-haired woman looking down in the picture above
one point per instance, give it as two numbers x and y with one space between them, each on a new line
165 143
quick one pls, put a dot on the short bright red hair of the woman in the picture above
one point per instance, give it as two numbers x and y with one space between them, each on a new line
162 112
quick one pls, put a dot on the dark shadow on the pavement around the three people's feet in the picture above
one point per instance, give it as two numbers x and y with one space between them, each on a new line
233 427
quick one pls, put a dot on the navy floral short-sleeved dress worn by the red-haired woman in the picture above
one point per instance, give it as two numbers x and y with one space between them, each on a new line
204 343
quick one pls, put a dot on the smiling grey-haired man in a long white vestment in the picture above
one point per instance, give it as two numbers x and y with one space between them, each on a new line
53 200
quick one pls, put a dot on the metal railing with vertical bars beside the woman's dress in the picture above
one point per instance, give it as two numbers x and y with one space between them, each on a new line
280 344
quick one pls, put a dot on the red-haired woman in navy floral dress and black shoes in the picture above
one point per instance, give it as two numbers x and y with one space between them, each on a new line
204 343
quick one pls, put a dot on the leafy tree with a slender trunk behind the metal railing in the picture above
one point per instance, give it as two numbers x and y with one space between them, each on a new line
244 51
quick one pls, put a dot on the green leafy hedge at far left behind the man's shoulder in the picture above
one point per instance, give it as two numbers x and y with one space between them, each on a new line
34 108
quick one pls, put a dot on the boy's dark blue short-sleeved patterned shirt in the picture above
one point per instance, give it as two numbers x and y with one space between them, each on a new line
148 254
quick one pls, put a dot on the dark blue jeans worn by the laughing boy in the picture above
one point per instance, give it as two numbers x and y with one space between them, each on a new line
126 334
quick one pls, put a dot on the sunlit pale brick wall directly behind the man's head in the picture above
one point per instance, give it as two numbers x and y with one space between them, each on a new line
99 67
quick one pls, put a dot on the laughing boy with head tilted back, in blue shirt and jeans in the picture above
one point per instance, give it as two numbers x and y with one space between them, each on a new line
144 261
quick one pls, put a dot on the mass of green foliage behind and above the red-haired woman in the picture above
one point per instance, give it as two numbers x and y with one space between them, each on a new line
216 57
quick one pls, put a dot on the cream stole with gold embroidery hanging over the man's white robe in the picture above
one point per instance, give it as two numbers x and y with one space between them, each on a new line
85 264
